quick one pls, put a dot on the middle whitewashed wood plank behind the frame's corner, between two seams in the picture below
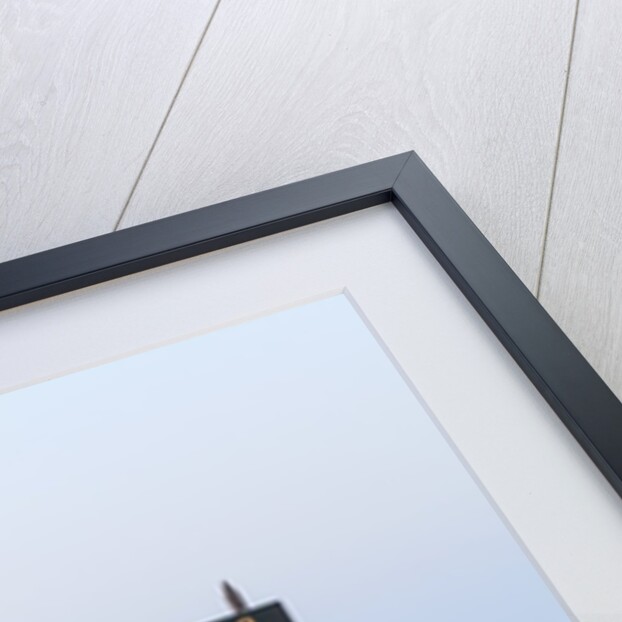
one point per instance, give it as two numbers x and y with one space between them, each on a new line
282 91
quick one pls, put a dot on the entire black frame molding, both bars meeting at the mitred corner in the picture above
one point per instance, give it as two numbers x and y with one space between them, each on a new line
578 395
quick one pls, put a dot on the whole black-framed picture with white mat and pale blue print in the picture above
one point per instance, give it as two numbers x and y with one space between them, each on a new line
328 401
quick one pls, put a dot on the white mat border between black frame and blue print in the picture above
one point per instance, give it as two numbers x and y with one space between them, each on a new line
551 493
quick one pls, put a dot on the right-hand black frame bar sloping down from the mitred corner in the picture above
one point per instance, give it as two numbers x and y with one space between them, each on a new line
573 389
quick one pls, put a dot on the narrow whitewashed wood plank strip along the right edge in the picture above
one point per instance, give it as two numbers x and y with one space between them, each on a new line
582 275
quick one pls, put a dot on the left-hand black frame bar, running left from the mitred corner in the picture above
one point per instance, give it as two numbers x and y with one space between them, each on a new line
120 253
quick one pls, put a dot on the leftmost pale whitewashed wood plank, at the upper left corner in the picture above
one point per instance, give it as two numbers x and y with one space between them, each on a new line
84 87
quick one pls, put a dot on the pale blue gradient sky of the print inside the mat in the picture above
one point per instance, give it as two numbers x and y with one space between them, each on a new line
285 454
